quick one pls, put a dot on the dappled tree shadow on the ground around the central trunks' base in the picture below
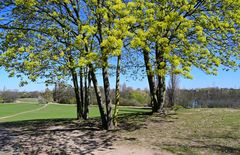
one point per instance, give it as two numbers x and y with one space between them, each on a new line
63 136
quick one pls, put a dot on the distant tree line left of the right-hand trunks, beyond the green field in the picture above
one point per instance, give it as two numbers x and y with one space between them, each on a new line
64 94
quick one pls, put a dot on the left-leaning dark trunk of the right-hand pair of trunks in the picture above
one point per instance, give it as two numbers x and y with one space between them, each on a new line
151 82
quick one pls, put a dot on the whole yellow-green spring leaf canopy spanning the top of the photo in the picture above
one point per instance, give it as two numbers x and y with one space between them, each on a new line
185 33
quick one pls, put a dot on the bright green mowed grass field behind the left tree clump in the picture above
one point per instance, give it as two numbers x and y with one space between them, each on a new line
52 111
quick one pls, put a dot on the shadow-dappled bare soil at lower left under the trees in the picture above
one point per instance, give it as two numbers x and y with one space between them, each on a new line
56 138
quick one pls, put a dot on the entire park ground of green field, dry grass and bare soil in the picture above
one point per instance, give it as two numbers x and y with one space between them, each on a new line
30 128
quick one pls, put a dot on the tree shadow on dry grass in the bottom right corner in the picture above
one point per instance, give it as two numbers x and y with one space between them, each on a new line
211 142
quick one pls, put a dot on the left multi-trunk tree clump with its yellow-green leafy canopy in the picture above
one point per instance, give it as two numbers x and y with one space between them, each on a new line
46 38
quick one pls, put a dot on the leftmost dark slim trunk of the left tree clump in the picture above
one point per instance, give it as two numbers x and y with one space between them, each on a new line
76 90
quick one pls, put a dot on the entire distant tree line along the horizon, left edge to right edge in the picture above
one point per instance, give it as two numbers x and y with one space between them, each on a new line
188 98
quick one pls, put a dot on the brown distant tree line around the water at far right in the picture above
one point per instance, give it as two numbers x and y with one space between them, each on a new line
209 98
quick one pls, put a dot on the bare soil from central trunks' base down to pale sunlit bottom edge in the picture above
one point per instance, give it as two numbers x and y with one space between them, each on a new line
63 137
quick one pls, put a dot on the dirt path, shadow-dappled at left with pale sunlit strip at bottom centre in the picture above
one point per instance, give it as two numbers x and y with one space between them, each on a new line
62 140
